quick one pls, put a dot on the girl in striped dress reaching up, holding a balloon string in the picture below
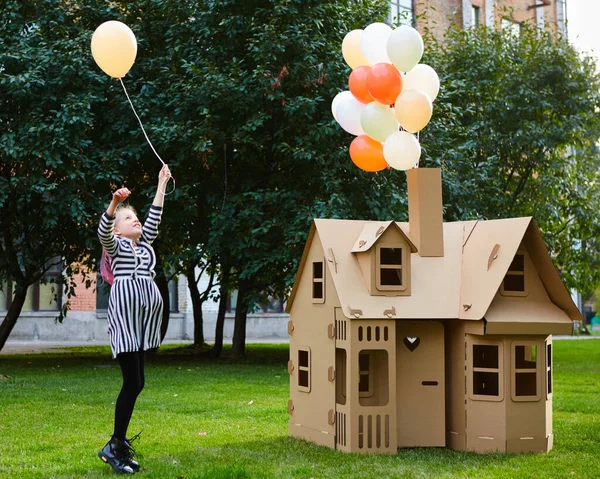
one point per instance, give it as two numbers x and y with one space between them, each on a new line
134 309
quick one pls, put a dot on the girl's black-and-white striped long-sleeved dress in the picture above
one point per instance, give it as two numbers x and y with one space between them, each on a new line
135 305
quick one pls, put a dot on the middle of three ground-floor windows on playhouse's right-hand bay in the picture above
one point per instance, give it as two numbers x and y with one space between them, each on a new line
524 372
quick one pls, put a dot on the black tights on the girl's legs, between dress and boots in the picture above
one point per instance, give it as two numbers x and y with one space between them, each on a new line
132 367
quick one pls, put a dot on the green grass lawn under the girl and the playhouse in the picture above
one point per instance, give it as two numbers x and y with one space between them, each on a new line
228 419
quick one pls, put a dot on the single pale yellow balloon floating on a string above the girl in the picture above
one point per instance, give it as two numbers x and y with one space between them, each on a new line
114 48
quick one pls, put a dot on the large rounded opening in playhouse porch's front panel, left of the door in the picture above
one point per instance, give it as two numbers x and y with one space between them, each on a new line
373 381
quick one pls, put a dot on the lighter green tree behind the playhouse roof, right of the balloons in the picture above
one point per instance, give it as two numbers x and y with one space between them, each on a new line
515 128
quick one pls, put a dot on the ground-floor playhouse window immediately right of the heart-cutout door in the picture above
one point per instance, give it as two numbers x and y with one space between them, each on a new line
486 368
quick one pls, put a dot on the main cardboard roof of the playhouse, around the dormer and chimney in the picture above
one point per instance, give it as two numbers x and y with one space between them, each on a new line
459 285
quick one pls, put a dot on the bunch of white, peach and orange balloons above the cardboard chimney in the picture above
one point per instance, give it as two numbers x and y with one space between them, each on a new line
390 97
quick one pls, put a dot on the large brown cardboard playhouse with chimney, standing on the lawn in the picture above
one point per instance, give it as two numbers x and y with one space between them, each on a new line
425 334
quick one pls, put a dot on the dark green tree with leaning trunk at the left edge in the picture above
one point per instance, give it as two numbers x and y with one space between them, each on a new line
48 170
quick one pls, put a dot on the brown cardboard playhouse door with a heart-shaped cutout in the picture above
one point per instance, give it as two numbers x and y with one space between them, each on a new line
420 383
